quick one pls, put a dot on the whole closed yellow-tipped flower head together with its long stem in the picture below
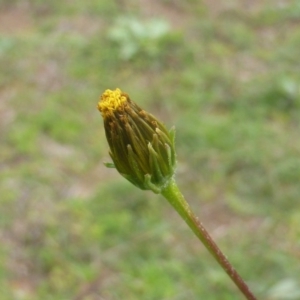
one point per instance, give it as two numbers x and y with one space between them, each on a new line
142 150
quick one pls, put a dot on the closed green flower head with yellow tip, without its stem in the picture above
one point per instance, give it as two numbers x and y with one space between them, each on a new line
141 148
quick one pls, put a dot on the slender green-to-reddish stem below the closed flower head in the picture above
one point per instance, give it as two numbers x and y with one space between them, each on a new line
172 193
